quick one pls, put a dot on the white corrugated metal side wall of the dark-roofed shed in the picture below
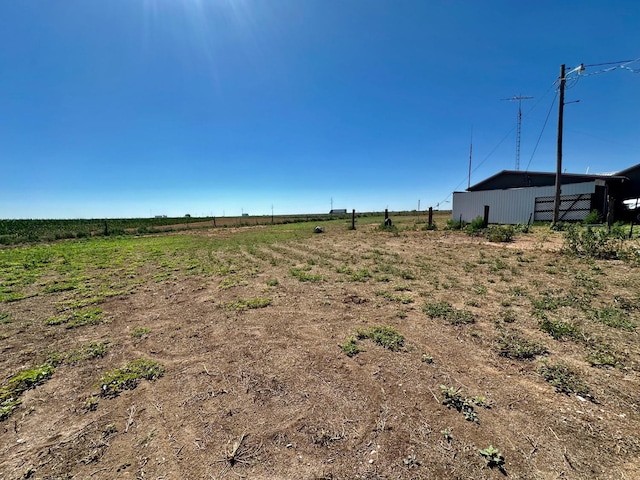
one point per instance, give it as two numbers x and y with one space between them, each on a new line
509 206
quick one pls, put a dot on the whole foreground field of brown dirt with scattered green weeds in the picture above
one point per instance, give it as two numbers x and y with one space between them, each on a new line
269 352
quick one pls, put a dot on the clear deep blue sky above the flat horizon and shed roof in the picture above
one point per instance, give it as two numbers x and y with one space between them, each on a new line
126 108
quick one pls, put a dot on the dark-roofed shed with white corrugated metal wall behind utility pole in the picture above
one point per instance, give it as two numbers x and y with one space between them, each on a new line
517 196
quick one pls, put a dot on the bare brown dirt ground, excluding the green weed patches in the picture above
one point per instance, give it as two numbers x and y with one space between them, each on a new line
268 393
